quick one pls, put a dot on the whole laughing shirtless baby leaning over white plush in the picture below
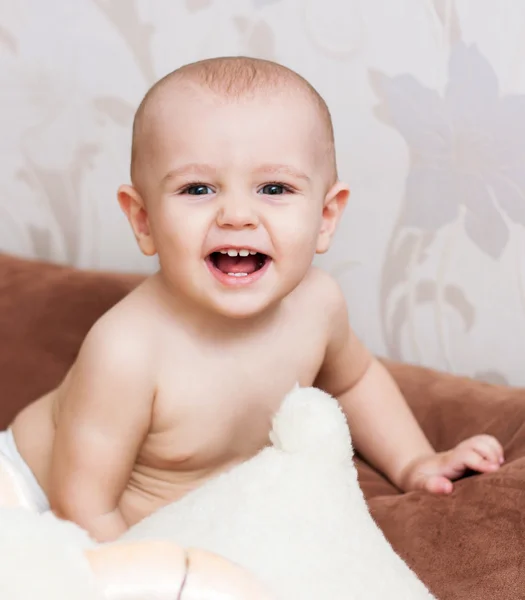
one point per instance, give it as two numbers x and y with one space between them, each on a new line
235 188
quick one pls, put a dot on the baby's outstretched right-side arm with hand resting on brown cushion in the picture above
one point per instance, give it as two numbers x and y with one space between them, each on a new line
383 428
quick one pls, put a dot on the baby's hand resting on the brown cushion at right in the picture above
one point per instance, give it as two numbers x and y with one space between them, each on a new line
482 453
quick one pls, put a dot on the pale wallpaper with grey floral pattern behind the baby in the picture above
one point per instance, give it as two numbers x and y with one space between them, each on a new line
428 101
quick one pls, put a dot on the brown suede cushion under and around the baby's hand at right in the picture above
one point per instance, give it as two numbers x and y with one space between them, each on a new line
471 544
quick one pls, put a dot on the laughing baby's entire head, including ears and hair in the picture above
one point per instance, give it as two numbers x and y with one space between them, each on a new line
234 182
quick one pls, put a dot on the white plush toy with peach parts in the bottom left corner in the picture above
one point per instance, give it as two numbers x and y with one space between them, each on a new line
45 558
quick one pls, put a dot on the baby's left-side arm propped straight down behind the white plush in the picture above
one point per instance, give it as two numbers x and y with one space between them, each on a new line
104 416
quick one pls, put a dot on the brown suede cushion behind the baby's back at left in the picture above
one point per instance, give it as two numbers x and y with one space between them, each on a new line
45 312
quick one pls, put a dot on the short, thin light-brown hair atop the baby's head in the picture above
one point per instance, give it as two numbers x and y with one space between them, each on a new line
231 79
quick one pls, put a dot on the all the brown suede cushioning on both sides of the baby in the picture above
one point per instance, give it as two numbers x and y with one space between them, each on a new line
466 546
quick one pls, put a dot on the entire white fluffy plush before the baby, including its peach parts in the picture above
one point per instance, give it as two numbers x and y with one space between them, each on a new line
293 519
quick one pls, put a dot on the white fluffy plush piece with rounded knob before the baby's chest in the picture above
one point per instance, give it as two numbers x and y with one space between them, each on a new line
294 515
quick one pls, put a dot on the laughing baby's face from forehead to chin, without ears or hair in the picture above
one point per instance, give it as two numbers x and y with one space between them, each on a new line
234 194
